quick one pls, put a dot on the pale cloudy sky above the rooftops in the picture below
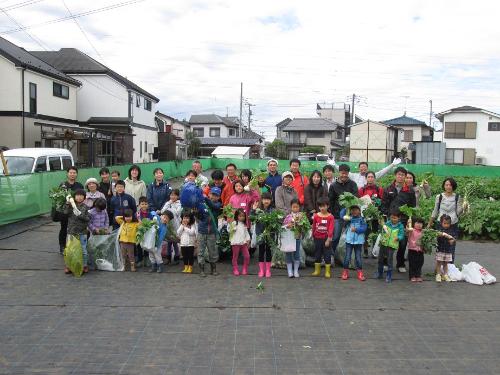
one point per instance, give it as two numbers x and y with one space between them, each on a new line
289 55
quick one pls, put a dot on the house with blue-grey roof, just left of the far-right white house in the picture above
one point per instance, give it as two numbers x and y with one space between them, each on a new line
413 130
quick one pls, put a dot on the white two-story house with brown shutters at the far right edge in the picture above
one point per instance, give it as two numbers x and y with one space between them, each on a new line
471 135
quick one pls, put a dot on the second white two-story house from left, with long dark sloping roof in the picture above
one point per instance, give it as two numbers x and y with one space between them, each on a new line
108 100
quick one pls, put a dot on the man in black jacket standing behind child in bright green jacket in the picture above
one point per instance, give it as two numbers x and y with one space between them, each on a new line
396 195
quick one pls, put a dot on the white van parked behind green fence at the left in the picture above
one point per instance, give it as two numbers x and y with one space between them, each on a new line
34 160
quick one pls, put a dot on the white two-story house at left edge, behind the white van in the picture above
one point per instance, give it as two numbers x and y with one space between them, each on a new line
32 92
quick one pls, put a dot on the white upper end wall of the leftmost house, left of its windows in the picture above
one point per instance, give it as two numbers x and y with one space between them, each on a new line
10 86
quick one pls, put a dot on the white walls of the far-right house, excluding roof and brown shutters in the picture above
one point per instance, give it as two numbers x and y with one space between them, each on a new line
486 142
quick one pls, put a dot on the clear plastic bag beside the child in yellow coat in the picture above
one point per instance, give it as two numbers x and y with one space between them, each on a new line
104 250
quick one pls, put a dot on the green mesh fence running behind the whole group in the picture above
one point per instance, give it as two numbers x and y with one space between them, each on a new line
25 196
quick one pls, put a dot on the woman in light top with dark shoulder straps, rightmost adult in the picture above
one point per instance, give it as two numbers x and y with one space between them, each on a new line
451 204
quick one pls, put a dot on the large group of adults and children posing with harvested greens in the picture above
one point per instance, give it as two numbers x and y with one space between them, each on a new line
116 203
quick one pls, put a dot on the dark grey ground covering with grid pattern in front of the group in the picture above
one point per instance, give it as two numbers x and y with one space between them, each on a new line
124 323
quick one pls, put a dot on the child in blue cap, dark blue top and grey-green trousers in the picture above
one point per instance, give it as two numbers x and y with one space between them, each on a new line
207 228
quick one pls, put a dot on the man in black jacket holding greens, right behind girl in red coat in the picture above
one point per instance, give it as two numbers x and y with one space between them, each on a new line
341 185
